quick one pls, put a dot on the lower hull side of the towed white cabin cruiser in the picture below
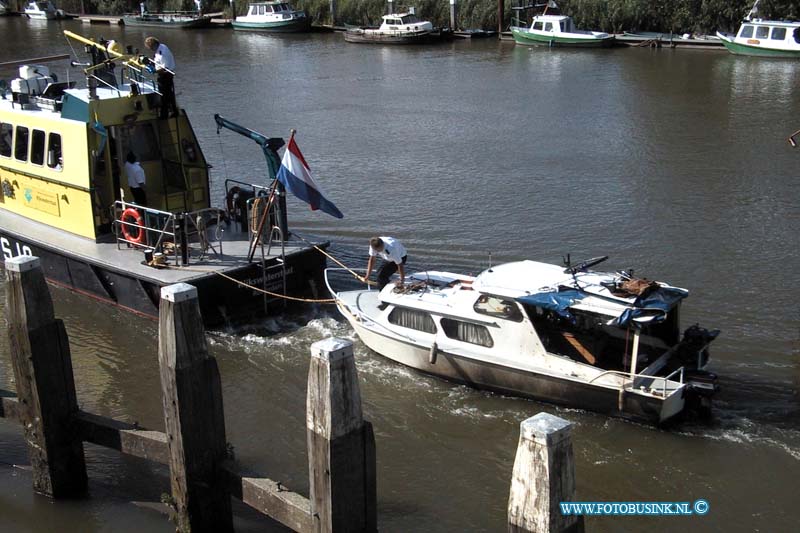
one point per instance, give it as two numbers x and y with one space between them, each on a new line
527 384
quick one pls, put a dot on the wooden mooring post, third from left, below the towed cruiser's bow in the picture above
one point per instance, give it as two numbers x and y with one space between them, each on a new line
341 444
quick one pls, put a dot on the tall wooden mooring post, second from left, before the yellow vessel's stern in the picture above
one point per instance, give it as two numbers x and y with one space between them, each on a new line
193 414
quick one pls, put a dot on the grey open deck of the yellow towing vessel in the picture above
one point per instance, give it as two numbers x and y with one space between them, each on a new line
235 248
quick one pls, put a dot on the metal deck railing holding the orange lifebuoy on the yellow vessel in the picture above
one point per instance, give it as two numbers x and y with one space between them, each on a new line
167 233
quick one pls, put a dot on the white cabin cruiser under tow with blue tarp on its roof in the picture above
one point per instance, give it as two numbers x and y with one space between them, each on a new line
604 342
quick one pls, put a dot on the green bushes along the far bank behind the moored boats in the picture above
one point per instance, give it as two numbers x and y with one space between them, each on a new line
678 16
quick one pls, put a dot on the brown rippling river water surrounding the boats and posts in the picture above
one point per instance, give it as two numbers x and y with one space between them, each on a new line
673 162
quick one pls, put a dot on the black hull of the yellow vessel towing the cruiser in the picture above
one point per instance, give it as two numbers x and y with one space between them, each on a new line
221 300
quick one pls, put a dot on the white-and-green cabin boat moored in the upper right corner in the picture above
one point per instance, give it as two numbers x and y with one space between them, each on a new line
768 38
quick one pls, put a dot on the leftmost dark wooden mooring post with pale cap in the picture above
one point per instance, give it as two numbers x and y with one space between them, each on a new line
45 385
